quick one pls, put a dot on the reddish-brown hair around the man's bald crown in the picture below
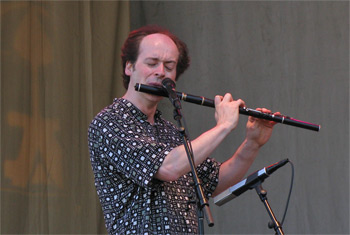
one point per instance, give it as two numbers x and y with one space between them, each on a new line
130 49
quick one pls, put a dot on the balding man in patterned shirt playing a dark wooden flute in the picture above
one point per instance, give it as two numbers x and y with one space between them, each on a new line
140 165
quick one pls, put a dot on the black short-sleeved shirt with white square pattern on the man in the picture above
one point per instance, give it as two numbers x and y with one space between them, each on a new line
125 152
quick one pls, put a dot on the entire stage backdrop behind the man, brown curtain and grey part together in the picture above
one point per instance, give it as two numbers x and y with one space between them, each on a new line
60 65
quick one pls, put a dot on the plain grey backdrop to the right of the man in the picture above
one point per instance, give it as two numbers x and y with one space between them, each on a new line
289 56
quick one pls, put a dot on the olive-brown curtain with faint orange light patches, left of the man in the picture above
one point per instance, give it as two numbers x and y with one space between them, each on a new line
59 66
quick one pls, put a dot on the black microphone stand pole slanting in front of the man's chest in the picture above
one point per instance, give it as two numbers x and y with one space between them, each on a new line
203 205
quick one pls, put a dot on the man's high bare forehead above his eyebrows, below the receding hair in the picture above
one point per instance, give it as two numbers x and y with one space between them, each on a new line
158 46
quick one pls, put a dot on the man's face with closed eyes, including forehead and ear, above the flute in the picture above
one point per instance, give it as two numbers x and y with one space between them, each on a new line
157 59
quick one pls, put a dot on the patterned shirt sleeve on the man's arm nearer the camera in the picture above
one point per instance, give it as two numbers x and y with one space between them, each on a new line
126 148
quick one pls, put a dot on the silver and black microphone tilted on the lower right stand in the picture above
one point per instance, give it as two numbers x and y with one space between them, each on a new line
248 183
